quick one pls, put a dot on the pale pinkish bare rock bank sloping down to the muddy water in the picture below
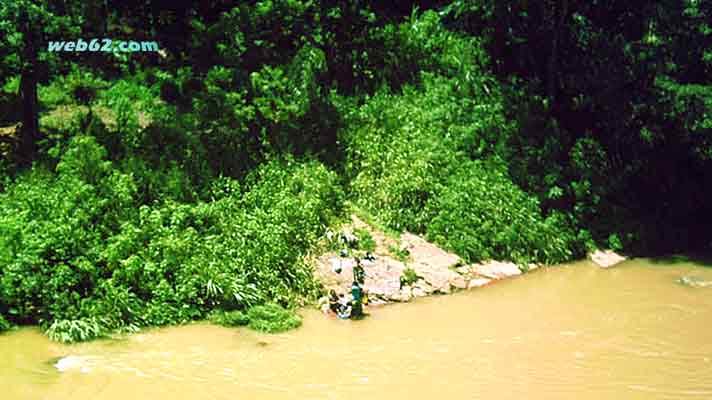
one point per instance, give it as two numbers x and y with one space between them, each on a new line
407 267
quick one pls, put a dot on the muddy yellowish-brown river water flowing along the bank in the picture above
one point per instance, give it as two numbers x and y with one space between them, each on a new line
568 332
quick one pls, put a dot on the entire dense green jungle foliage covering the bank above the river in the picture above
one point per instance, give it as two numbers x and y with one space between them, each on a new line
152 188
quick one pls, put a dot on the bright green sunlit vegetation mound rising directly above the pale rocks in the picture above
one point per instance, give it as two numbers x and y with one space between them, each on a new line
424 161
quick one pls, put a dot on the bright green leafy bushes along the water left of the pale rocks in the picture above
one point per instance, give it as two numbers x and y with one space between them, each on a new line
81 243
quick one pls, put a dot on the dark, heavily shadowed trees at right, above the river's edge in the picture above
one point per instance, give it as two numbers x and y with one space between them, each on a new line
633 77
